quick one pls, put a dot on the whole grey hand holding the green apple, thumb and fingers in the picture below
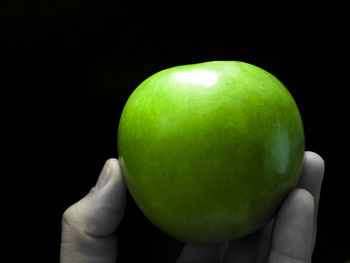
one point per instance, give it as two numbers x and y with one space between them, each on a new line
87 226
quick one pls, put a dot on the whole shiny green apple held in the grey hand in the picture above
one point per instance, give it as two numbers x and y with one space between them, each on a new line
210 150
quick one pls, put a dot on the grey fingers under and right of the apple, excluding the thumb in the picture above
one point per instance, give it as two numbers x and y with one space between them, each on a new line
288 238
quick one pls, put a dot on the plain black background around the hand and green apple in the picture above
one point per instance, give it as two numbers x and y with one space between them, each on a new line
70 67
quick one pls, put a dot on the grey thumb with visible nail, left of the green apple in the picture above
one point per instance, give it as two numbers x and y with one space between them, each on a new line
88 225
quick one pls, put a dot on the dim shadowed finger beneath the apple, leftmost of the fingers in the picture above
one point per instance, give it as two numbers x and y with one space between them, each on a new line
202 253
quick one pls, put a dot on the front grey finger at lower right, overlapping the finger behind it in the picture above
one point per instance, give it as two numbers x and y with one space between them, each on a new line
292 232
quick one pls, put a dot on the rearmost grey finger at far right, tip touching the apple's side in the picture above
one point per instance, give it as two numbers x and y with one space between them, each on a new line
311 179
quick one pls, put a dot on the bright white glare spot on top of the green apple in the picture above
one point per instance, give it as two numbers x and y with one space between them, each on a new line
202 77
